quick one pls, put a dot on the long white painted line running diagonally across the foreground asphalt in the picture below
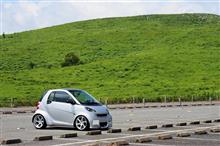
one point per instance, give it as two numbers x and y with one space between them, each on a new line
133 136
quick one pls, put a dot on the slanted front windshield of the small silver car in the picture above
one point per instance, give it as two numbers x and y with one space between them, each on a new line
83 97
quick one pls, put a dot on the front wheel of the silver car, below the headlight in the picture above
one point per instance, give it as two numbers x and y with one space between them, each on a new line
81 123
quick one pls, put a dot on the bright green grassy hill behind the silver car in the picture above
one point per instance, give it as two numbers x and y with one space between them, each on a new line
148 57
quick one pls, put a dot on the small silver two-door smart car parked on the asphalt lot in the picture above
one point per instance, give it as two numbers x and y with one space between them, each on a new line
71 108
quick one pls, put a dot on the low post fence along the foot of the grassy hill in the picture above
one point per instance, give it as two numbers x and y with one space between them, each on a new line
14 102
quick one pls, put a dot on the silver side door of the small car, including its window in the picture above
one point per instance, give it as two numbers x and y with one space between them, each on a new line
58 108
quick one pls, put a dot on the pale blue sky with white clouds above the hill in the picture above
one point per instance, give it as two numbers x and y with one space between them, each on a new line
23 15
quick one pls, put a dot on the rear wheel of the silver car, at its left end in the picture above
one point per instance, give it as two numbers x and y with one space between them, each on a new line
39 122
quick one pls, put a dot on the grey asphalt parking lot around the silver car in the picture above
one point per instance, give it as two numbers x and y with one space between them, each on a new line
19 126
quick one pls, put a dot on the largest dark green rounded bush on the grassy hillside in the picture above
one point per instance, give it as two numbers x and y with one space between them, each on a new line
70 59
